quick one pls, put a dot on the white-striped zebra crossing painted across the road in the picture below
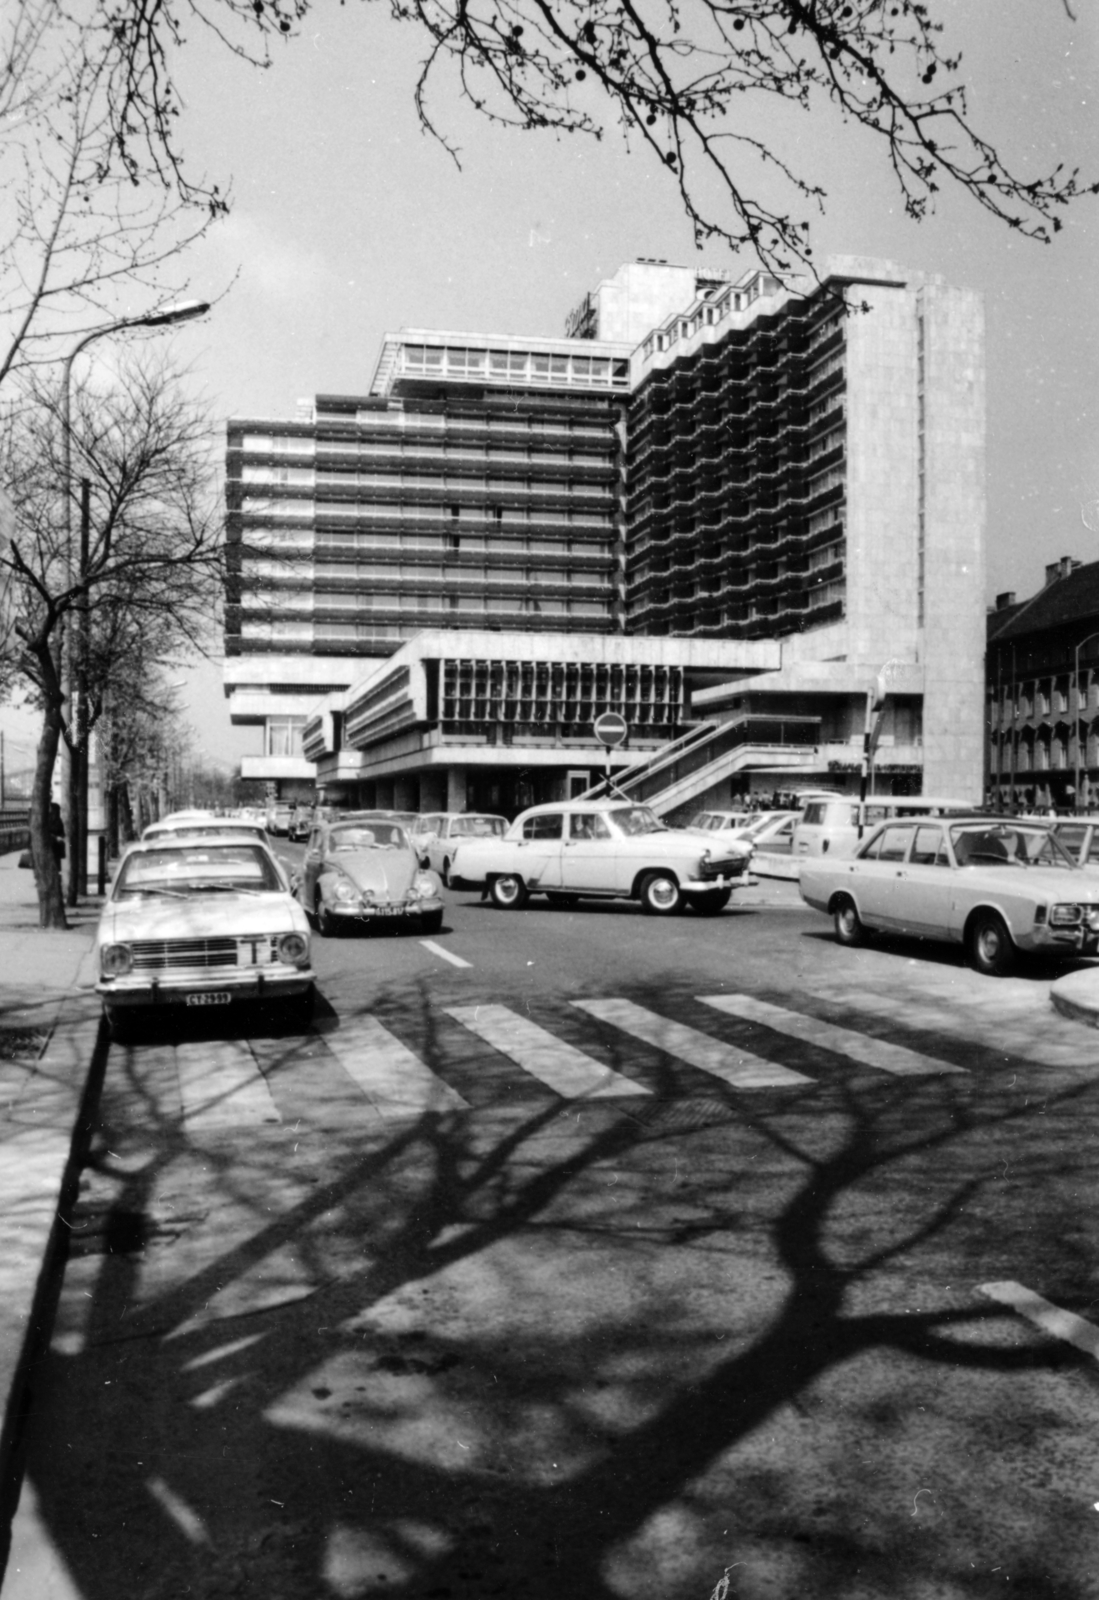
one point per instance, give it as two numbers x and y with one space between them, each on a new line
228 1084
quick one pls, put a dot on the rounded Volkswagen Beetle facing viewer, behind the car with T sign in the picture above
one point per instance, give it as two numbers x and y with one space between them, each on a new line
364 870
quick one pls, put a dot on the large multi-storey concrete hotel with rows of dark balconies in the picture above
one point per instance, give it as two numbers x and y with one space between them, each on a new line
794 482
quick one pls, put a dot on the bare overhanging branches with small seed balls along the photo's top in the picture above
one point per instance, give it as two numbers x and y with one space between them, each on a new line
677 79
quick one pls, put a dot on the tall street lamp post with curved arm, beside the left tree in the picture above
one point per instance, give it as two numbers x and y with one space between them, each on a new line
74 662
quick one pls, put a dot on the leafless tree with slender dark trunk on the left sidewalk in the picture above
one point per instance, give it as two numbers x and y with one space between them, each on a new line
146 585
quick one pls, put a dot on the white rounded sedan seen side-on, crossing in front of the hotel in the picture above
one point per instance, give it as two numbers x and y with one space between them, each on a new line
602 849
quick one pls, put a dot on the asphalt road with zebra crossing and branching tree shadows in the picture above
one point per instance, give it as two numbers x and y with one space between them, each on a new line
586 1255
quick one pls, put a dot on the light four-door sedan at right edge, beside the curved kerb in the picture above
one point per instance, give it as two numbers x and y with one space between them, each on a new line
997 886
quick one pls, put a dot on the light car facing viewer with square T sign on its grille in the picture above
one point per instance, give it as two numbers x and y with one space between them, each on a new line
202 922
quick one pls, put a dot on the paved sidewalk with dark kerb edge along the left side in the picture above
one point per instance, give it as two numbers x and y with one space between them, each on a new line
49 1049
